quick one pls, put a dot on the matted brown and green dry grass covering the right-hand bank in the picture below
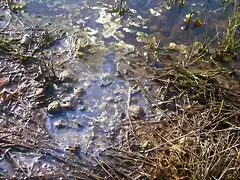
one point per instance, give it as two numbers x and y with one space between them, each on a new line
198 135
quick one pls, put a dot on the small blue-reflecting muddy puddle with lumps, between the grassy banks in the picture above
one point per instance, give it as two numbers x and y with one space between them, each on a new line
97 113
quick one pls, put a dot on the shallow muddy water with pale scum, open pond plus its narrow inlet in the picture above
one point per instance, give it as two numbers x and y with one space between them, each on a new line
96 114
